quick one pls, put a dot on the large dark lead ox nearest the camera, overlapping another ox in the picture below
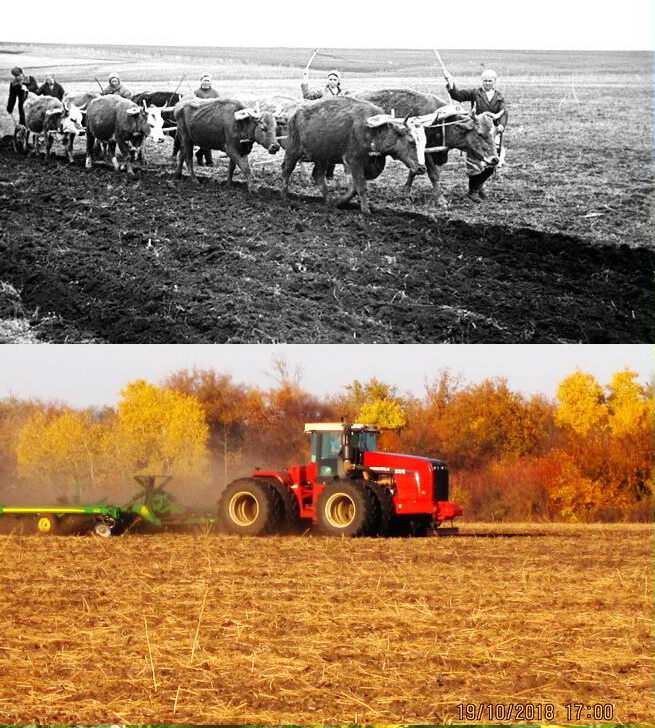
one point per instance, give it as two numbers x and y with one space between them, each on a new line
352 132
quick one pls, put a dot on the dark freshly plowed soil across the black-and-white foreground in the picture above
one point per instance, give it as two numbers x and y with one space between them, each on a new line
153 260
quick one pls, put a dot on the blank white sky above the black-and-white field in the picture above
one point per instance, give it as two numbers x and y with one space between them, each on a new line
494 24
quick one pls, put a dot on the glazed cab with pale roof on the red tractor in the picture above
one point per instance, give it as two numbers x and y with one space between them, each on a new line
337 447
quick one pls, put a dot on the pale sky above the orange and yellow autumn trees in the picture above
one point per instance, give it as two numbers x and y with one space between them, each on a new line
86 375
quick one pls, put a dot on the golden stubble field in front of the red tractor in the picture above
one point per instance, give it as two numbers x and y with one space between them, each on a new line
207 629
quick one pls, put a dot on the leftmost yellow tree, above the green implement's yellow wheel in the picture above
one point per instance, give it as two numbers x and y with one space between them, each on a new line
60 451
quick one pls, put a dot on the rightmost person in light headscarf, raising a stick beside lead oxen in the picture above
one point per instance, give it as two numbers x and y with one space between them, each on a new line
484 100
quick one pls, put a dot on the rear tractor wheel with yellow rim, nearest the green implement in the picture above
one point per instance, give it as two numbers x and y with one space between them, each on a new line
250 507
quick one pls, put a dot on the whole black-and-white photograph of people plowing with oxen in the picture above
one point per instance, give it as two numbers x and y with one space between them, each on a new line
420 174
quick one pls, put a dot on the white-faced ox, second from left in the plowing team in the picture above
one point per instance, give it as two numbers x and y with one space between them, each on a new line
114 120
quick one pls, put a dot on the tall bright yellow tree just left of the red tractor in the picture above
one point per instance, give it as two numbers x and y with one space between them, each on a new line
157 431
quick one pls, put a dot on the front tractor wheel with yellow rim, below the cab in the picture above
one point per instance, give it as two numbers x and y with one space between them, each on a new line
347 508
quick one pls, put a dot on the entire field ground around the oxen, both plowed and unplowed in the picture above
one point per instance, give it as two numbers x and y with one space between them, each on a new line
561 253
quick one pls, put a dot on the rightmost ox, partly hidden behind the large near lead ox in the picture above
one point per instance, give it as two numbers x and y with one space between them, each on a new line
454 130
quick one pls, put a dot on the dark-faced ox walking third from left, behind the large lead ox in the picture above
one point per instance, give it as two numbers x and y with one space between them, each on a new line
224 124
